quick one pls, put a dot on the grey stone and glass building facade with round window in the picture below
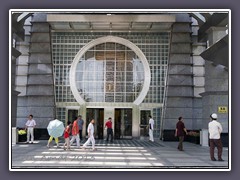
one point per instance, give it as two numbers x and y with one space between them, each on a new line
124 66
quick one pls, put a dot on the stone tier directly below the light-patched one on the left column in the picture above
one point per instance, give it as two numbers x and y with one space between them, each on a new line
40 79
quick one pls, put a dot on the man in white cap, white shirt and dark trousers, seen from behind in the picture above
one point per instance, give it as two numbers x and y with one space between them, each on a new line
215 130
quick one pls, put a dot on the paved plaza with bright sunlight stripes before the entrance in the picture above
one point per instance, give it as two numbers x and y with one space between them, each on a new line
119 154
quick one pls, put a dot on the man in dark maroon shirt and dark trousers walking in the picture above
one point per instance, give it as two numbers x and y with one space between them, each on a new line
179 132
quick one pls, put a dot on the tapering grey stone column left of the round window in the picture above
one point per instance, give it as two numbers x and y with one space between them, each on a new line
40 83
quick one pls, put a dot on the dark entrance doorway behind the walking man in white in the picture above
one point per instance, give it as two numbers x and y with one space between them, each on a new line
98 115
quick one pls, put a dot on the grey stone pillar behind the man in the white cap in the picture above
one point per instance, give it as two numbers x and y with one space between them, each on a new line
216 94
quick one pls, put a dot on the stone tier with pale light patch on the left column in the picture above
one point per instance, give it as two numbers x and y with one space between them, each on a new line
40 69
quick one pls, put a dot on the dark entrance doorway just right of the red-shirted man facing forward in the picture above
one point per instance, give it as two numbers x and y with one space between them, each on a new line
123 123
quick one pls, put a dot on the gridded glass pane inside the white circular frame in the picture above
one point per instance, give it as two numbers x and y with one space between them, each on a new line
109 72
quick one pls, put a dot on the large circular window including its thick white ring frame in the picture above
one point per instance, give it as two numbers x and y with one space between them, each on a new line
110 69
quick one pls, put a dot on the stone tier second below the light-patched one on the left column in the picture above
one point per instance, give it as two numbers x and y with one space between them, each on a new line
40 90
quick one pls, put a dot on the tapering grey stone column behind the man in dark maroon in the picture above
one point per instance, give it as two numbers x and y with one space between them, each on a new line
179 87
